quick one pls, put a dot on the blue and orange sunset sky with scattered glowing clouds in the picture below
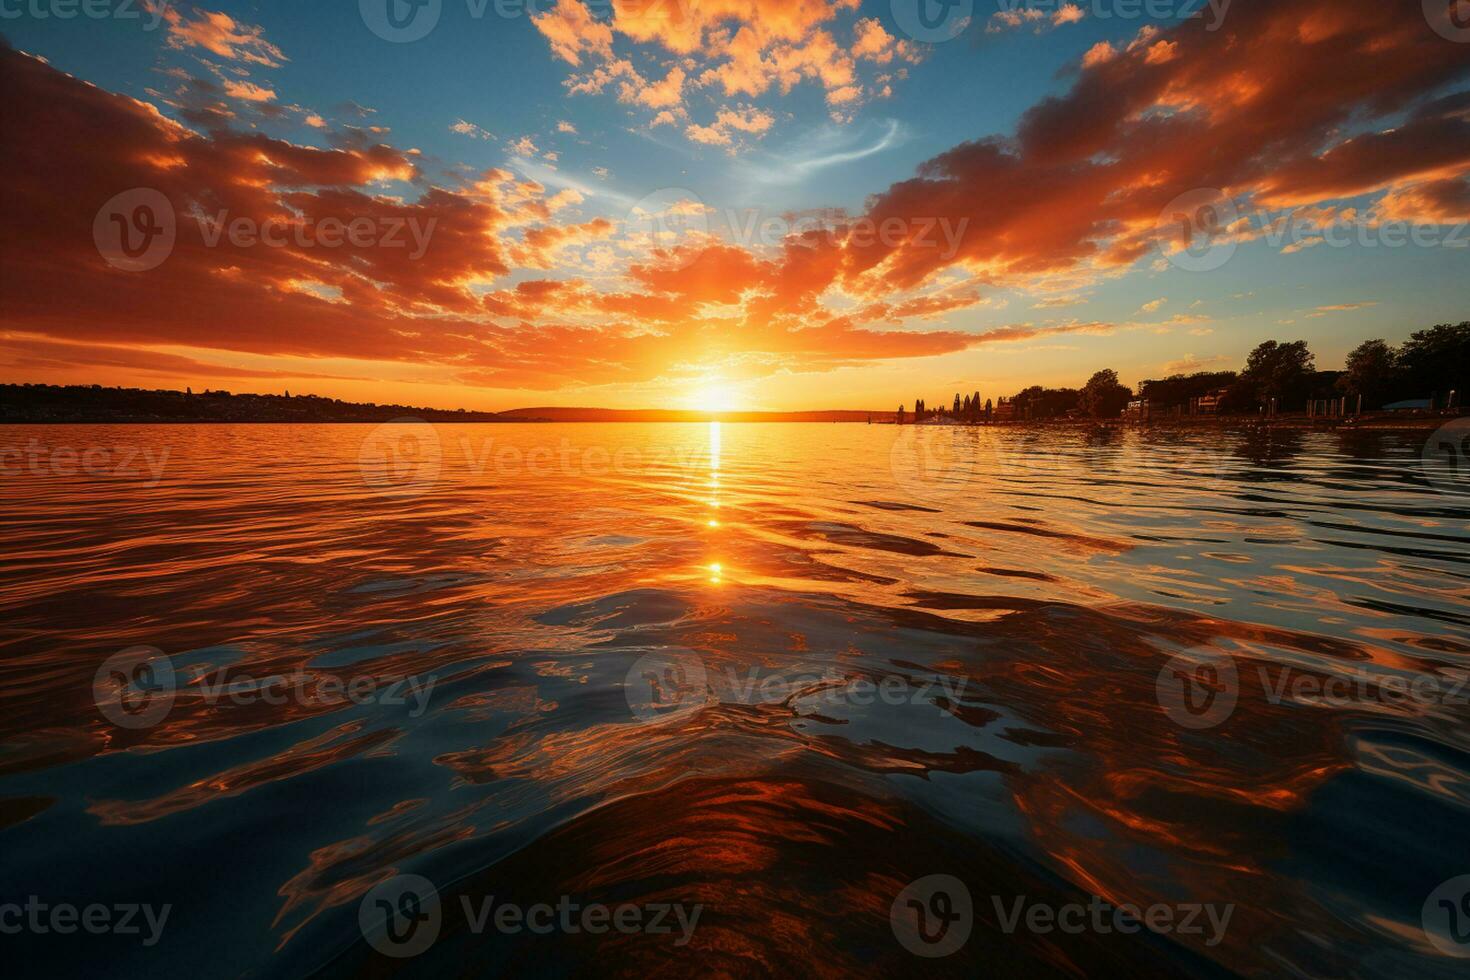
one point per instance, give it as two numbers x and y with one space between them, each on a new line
727 205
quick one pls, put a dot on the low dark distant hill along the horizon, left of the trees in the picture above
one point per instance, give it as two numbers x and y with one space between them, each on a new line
99 405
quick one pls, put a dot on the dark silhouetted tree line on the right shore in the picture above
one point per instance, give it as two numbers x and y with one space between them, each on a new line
1430 365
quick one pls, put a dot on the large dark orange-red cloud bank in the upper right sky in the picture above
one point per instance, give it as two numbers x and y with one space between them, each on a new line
1081 184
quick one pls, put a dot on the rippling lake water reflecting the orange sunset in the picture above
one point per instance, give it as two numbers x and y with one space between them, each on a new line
777 672
